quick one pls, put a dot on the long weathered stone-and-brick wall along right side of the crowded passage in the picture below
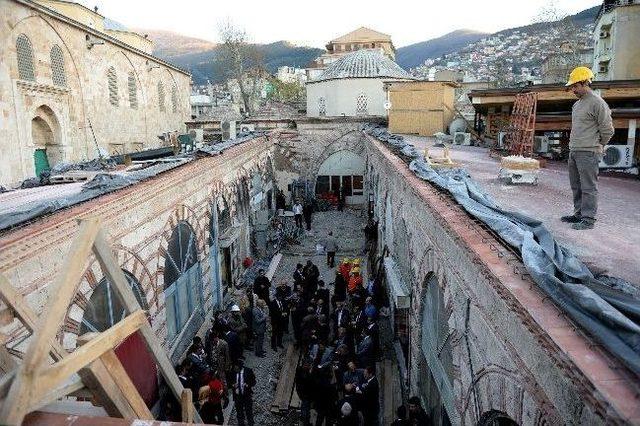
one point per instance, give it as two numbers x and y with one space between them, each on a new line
502 361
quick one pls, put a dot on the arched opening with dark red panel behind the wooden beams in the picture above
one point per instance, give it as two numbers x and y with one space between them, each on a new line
103 310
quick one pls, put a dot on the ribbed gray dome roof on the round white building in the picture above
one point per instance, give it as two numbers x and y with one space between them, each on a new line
364 63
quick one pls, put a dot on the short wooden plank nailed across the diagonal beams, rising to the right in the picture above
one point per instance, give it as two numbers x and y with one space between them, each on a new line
91 351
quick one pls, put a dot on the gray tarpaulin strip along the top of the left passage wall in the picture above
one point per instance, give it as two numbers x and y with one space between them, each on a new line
105 183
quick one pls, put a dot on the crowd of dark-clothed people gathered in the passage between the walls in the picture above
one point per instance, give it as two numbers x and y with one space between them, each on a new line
336 331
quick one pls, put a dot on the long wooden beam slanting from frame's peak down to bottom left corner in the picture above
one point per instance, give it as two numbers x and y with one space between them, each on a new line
24 386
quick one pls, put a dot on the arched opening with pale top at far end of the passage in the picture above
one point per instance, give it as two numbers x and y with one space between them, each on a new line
343 169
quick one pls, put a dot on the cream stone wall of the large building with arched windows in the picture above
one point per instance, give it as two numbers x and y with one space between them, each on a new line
79 112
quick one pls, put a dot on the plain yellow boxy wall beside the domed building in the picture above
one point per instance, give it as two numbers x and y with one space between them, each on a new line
424 108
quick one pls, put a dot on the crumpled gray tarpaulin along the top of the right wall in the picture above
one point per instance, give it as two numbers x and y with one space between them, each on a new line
608 308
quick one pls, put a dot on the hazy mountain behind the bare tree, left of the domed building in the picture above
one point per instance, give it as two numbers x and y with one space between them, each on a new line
198 56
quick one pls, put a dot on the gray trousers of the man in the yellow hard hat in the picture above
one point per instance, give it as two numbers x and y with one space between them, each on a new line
583 177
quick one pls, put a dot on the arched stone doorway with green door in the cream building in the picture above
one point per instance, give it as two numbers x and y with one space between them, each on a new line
45 136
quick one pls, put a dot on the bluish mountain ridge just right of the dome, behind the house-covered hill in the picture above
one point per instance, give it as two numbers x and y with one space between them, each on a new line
415 54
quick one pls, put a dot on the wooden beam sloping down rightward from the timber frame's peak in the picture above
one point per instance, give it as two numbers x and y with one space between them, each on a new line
114 274
